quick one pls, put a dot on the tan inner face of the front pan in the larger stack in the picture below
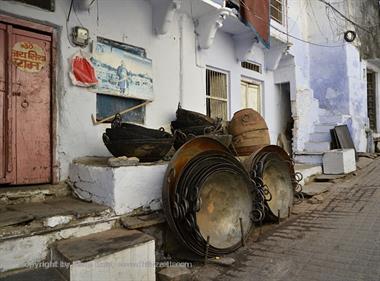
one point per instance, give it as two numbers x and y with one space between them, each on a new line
225 199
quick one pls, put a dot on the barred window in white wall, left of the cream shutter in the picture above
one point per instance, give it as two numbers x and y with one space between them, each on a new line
216 94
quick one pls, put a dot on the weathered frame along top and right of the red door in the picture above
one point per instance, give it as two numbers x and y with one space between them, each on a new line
32 25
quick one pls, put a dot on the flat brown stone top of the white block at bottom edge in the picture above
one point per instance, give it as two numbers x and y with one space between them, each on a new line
100 244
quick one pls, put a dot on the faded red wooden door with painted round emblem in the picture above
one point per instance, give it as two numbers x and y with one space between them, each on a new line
27 146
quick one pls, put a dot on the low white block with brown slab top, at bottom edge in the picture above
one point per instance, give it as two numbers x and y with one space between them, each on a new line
116 255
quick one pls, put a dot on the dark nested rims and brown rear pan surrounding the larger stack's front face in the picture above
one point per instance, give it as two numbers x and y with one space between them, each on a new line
181 162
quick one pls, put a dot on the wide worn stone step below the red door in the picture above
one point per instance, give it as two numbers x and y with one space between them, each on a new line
28 229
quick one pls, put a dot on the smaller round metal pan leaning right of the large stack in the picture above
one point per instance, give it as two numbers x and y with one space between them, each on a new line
277 173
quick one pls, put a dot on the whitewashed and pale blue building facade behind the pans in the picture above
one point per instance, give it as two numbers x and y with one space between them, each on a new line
307 81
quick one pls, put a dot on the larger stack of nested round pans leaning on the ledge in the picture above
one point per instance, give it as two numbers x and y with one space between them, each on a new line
206 193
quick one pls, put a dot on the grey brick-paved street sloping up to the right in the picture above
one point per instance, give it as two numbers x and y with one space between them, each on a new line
338 239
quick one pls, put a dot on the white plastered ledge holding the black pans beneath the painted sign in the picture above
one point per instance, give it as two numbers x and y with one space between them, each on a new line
124 189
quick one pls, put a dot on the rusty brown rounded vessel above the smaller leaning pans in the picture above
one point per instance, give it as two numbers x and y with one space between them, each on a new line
249 129
